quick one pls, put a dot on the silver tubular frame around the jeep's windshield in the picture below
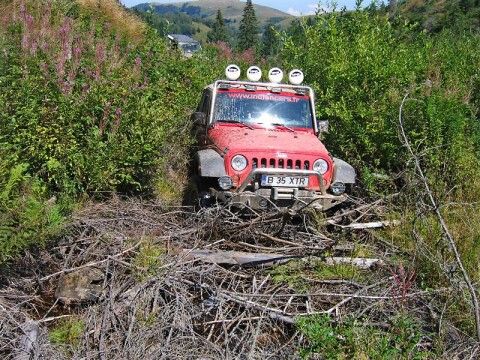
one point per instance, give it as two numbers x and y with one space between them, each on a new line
264 87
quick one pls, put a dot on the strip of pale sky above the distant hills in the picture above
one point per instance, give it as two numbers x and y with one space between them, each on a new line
295 7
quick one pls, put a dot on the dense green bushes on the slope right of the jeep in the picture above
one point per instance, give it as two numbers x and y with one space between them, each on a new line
361 67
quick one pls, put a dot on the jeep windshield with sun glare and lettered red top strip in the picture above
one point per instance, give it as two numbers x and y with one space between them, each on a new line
264 109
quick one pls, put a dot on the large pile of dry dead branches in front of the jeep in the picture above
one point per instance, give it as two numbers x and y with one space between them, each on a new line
194 301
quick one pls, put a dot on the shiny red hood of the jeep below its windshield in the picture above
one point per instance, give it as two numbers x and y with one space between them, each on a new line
242 139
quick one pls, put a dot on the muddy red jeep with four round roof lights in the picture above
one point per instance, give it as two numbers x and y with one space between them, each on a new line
259 146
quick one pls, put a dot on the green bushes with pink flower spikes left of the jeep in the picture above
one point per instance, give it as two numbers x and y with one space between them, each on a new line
89 108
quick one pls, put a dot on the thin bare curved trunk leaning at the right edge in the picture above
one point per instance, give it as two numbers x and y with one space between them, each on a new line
441 220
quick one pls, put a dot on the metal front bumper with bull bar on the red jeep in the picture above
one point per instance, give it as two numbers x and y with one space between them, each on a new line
250 194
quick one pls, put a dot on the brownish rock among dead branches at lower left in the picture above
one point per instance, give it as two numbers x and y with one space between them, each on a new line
83 285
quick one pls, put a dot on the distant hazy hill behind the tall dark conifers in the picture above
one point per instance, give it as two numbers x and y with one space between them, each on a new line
205 10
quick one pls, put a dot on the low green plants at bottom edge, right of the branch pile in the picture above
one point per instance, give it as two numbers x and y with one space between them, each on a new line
353 340
